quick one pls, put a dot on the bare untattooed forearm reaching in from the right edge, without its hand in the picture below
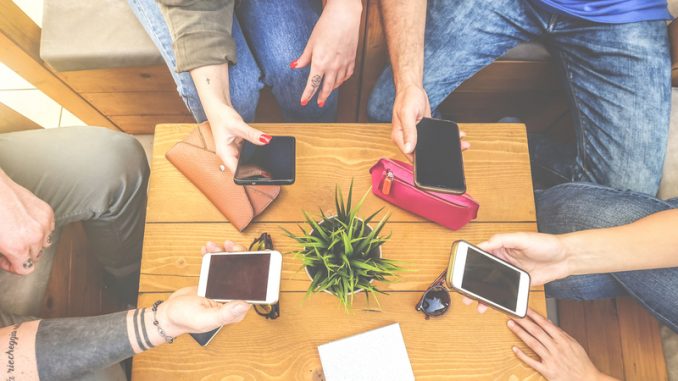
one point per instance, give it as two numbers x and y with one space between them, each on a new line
648 243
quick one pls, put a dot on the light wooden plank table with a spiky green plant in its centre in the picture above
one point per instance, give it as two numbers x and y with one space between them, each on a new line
461 344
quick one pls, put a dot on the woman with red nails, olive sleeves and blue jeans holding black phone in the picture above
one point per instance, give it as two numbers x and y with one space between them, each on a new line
272 42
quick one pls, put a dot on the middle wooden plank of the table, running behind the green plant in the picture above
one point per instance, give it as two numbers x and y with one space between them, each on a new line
172 251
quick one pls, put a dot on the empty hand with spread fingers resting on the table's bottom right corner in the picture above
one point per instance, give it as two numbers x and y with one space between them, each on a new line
560 356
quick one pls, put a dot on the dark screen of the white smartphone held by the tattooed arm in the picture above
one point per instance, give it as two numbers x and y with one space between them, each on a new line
238 277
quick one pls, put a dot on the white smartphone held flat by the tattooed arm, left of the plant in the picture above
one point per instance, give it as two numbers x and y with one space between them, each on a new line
253 277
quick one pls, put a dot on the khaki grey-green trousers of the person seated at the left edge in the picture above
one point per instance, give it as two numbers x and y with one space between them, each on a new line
87 174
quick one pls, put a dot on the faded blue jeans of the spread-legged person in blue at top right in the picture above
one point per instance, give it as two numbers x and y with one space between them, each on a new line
617 76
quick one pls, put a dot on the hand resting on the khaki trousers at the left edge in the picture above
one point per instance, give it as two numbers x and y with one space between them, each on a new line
25 227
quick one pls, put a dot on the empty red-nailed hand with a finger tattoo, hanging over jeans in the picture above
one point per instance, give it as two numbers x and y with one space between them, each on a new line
331 49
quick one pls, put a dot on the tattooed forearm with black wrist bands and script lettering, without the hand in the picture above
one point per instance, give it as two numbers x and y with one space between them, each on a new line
64 349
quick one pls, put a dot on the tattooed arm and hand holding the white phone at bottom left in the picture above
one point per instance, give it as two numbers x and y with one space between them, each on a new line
84 347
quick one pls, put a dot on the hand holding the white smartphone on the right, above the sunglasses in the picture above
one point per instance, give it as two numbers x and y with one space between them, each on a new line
543 256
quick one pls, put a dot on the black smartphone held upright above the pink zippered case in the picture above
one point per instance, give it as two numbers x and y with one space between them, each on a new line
438 164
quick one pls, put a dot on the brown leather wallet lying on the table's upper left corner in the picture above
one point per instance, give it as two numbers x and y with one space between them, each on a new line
196 158
